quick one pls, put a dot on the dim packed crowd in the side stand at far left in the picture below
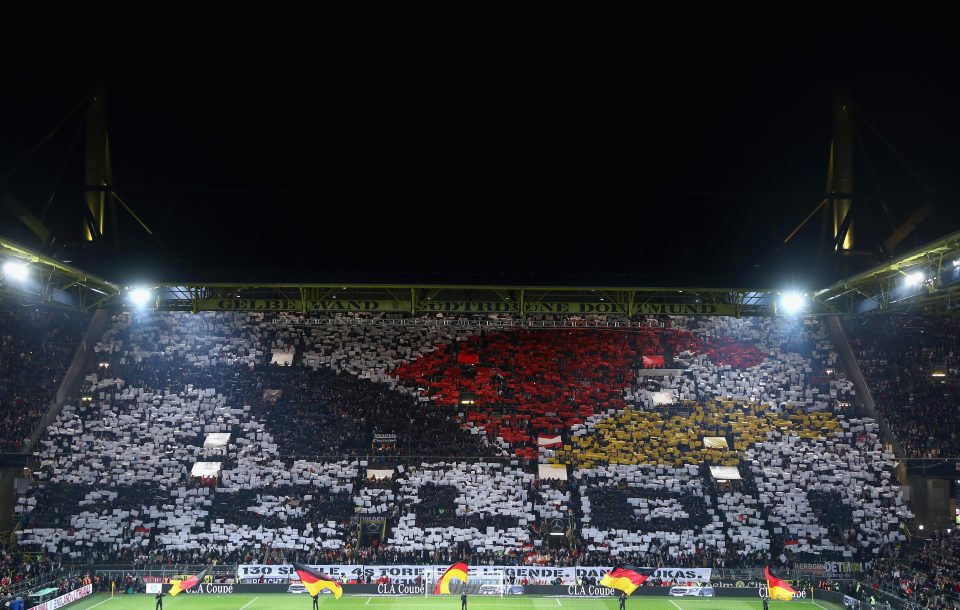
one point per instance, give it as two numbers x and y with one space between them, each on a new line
36 346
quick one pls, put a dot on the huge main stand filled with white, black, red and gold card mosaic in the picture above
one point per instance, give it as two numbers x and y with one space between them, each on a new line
466 411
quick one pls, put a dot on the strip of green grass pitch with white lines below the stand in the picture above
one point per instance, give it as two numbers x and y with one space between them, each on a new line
280 601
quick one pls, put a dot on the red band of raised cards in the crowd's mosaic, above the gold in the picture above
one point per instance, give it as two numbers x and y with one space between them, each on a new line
538 382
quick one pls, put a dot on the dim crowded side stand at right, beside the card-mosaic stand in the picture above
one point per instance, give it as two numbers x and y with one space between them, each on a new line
898 356
